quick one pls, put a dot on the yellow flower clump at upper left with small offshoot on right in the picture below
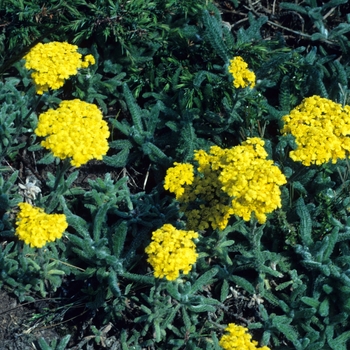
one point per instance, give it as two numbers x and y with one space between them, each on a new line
53 63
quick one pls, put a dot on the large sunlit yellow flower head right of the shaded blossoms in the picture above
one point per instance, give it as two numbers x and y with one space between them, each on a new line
251 180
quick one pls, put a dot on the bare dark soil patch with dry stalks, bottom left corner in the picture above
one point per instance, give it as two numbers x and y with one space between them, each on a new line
22 325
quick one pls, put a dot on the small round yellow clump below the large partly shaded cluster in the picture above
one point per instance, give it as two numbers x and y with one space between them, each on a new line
170 251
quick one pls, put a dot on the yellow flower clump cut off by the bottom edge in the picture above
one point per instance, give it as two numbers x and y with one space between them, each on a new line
238 338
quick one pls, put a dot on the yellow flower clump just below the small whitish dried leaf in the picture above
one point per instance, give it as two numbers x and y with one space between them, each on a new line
36 228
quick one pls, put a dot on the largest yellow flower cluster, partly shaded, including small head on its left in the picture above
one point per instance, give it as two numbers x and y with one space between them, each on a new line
236 181
